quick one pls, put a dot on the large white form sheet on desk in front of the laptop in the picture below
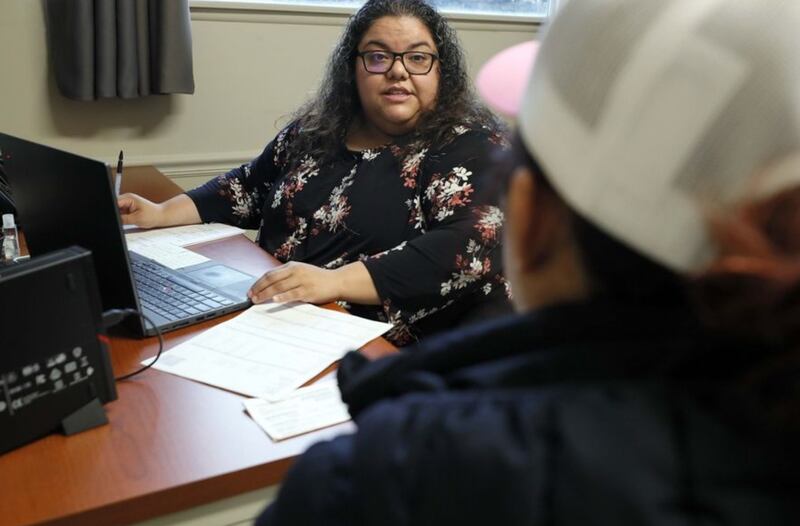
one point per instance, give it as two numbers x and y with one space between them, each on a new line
270 350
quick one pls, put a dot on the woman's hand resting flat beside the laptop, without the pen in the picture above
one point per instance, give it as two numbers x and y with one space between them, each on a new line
295 281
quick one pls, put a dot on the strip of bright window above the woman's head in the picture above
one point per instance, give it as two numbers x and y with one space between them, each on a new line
523 9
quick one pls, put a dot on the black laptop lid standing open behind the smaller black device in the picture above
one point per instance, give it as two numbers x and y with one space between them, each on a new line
63 199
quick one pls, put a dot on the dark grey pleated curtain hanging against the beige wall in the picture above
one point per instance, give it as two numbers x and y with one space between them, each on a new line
120 48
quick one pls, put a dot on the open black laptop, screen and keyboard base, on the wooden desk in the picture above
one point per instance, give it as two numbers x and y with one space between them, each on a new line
64 199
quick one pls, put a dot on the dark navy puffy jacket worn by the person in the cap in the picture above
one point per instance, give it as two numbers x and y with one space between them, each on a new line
590 413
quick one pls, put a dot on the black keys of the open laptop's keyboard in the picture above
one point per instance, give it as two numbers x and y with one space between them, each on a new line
171 296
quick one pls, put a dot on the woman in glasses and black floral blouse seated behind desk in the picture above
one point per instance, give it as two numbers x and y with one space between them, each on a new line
369 195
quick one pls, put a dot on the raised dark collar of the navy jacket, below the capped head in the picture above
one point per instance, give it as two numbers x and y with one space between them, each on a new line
592 341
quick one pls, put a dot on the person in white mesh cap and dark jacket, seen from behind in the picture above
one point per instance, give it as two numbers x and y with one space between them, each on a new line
653 247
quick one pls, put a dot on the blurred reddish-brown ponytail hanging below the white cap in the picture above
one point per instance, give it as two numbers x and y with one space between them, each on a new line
752 291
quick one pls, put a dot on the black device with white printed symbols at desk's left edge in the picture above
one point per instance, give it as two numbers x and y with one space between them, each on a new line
55 372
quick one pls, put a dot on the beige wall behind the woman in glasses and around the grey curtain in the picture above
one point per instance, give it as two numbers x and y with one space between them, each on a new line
252 68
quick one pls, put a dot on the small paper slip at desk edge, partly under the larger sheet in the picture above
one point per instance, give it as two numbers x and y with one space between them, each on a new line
307 409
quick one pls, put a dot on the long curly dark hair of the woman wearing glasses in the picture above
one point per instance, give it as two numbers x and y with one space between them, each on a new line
325 119
